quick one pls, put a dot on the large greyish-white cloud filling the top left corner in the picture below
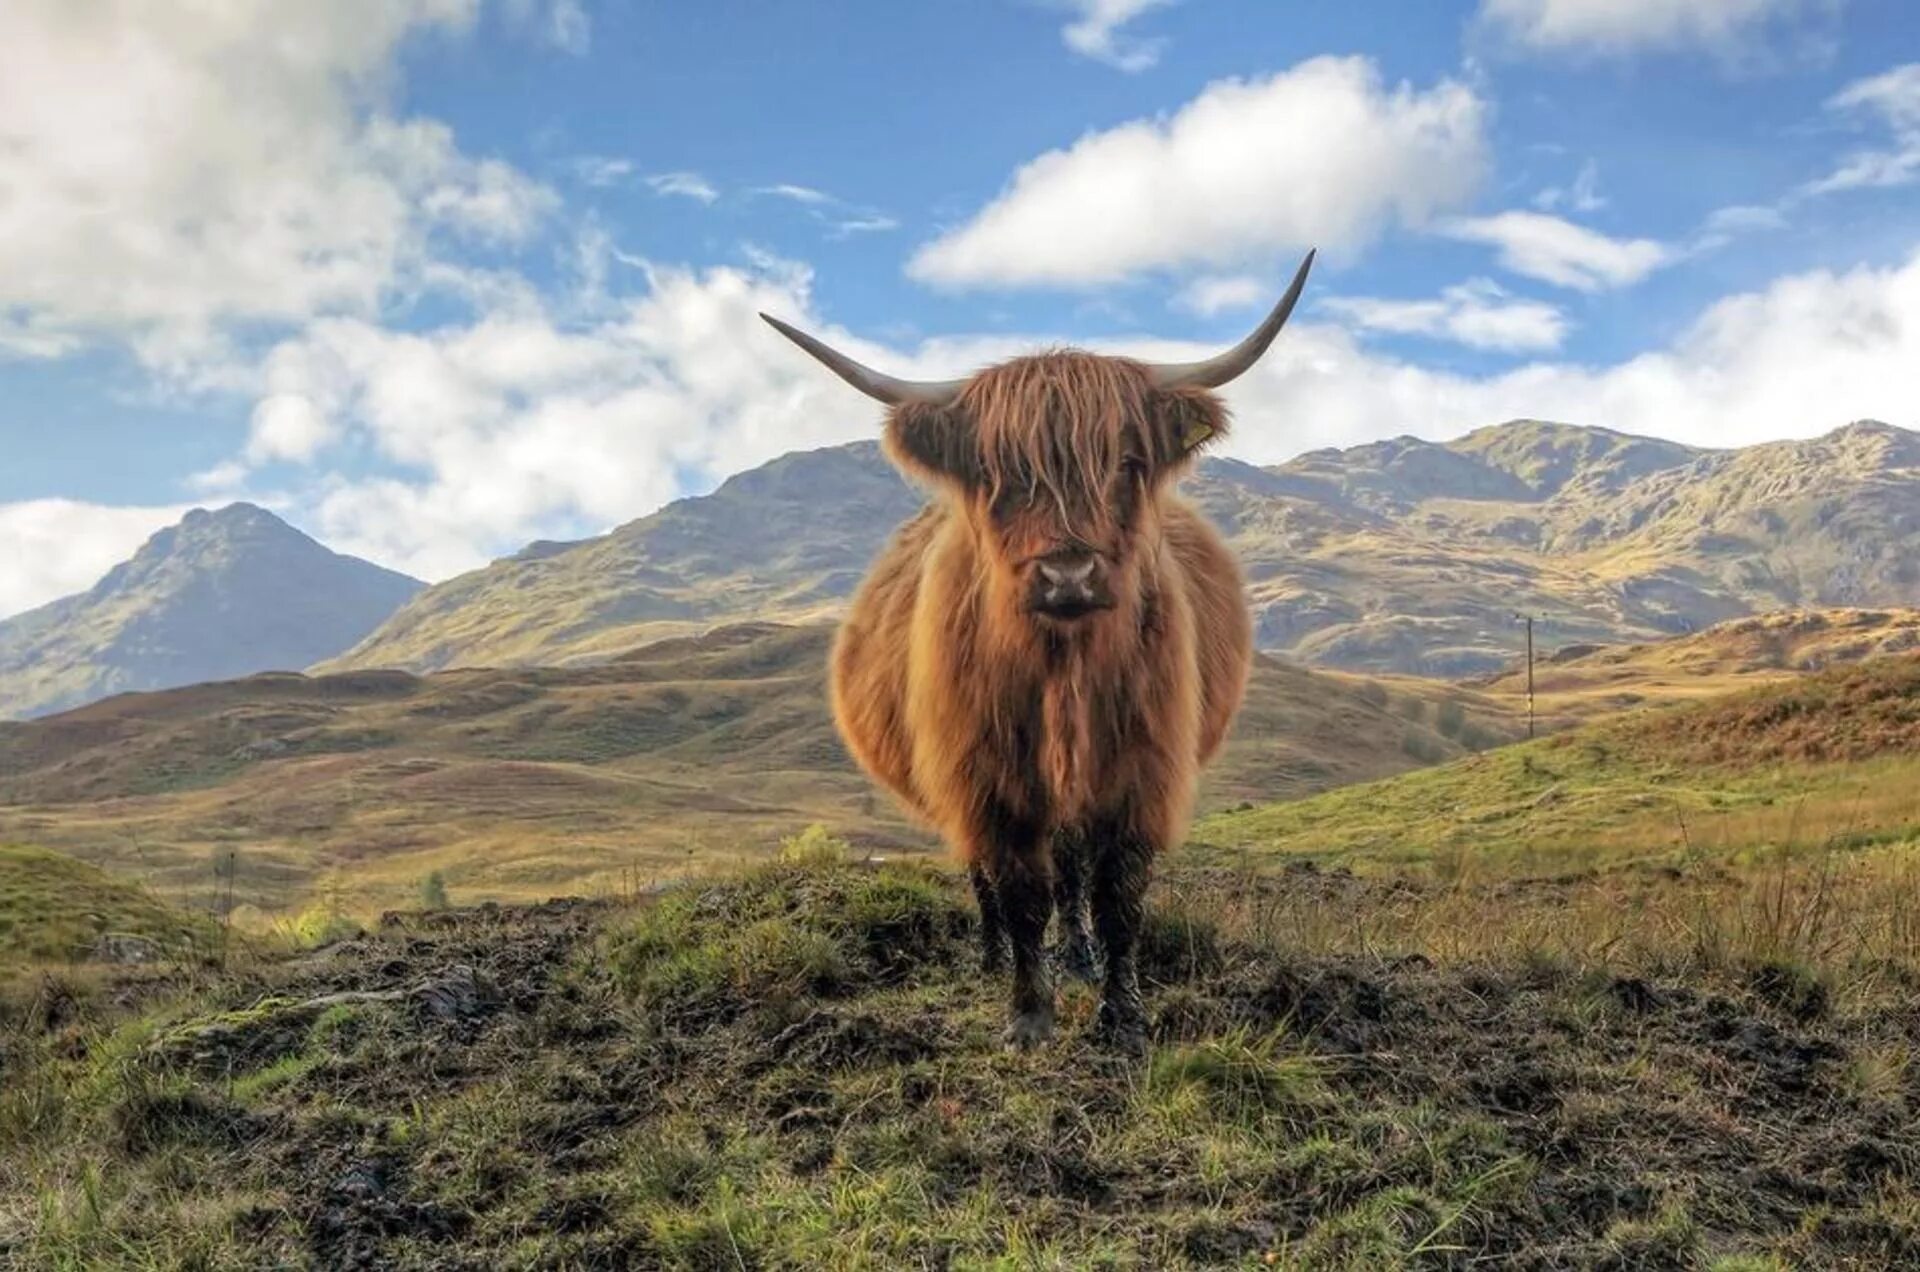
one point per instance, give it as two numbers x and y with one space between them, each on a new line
170 172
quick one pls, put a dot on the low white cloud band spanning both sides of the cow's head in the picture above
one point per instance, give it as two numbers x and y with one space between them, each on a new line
521 426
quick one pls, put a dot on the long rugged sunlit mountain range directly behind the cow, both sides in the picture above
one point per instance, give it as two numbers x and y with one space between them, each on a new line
1397 556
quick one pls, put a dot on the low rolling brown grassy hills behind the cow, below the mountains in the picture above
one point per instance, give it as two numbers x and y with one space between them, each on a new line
525 783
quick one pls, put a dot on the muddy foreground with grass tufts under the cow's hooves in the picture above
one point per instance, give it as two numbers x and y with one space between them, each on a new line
821 1085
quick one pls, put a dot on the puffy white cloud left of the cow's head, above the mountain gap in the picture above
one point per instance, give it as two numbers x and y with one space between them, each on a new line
521 426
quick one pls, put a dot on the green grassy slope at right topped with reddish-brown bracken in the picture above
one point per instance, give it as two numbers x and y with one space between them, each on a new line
1821 762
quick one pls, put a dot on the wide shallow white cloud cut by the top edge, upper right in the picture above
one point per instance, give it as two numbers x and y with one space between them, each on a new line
1633 26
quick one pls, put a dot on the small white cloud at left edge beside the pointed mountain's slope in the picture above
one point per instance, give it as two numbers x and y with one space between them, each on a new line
62 547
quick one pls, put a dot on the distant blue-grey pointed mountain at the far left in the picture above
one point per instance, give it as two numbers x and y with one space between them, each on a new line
220 595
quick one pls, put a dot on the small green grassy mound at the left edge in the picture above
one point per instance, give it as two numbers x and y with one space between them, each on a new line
57 910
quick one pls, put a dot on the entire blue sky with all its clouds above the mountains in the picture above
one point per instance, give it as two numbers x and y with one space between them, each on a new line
437 278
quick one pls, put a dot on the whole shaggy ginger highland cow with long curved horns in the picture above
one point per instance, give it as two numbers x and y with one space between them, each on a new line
1044 658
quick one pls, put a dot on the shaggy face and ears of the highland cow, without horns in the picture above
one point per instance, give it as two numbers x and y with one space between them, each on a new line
1059 464
